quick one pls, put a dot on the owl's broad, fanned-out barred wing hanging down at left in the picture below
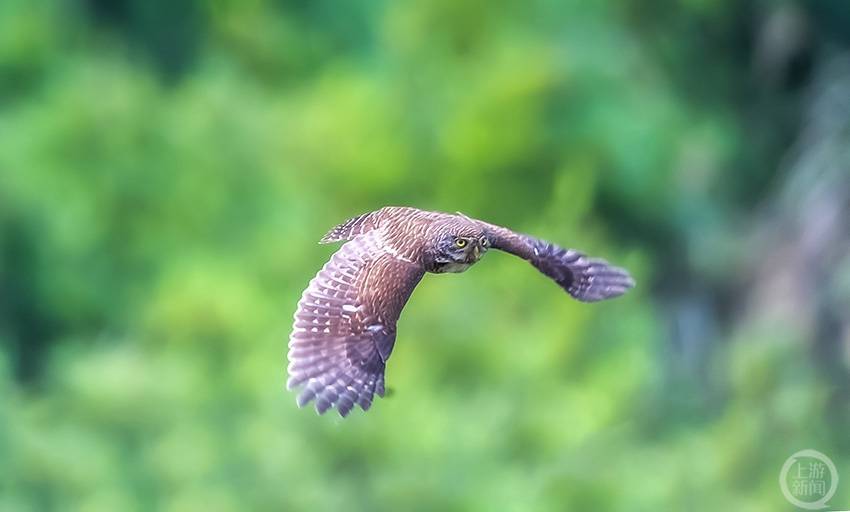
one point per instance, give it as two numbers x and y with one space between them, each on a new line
345 325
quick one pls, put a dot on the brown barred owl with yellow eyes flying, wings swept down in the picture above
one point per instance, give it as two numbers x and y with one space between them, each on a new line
345 324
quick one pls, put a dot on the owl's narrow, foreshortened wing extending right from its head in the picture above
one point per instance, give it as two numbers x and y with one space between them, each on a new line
586 279
